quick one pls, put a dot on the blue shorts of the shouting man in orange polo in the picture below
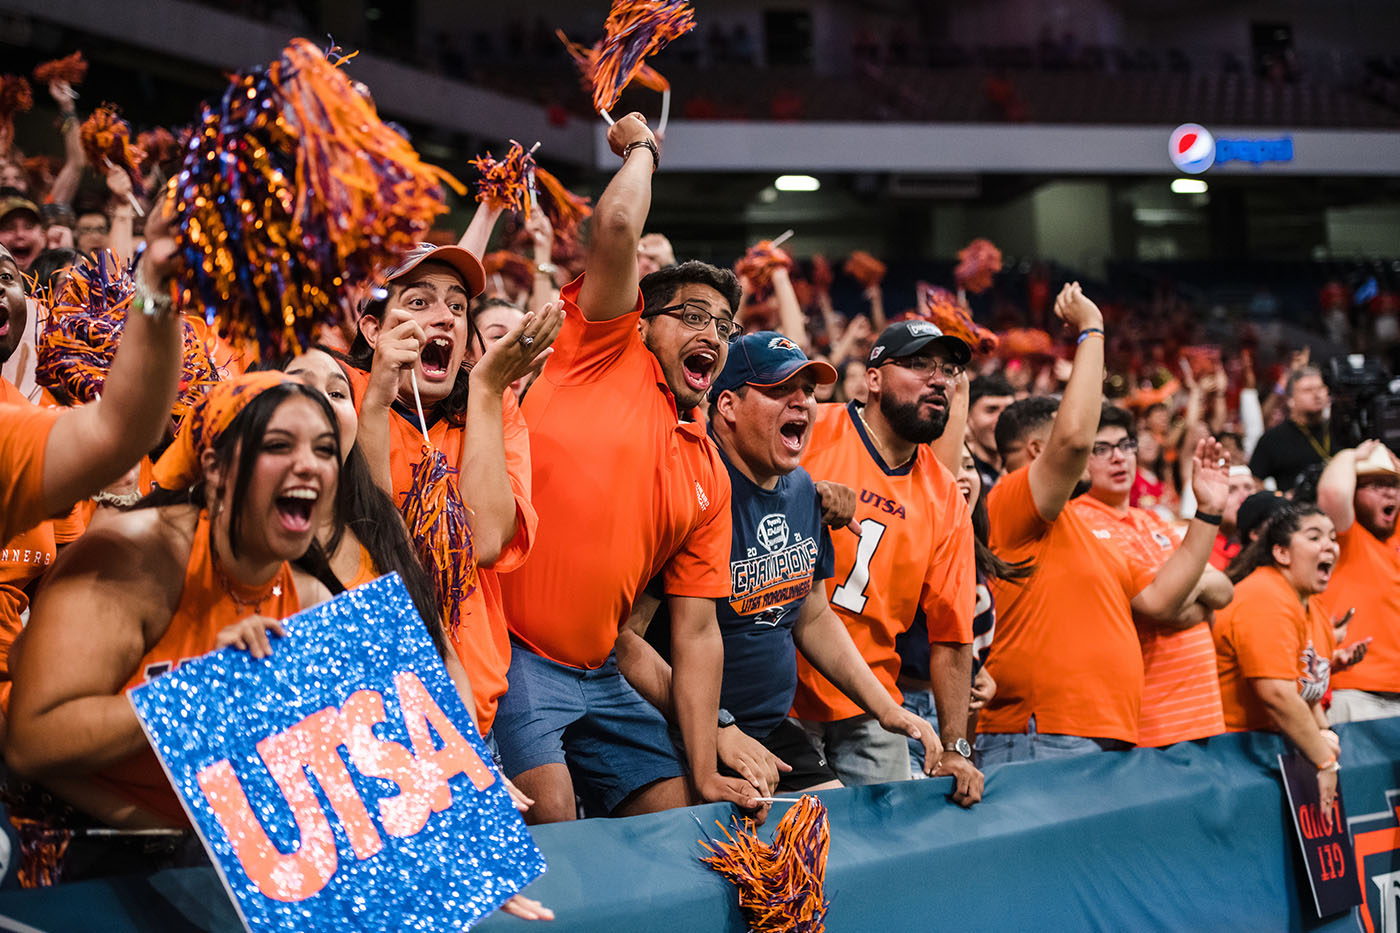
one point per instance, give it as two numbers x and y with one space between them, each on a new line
594 722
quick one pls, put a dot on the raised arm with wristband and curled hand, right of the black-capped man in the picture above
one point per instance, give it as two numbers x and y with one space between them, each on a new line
1059 469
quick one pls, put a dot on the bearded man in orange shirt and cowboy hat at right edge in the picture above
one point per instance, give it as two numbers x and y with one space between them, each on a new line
1360 491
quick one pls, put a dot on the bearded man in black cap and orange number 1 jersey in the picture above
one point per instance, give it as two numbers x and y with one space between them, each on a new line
915 555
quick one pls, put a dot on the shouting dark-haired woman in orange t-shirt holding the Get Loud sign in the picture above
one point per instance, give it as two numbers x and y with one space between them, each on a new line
1275 641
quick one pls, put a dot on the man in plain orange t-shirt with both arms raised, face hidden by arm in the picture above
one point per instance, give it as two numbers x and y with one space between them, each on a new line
1067 661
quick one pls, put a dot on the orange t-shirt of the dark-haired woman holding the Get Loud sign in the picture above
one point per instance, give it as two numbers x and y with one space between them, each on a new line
1266 634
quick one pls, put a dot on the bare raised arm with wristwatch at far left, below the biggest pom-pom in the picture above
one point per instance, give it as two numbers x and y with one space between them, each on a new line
96 445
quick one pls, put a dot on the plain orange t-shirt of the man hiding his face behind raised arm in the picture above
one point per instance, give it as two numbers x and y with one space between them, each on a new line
1066 649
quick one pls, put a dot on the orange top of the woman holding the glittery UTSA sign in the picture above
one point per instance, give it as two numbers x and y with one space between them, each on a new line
205 610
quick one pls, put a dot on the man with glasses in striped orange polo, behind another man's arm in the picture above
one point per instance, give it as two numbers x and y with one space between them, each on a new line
1181 690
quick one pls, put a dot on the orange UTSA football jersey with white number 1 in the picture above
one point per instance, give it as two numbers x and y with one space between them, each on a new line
915 554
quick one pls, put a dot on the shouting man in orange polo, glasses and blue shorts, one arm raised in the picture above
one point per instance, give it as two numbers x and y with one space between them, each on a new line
626 485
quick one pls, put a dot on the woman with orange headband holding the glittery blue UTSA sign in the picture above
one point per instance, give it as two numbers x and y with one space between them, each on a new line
201 564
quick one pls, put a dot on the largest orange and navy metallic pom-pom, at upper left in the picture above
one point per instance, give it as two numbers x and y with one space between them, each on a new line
292 194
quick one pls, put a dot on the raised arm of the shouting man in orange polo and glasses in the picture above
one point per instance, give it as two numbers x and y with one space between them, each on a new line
610 289
